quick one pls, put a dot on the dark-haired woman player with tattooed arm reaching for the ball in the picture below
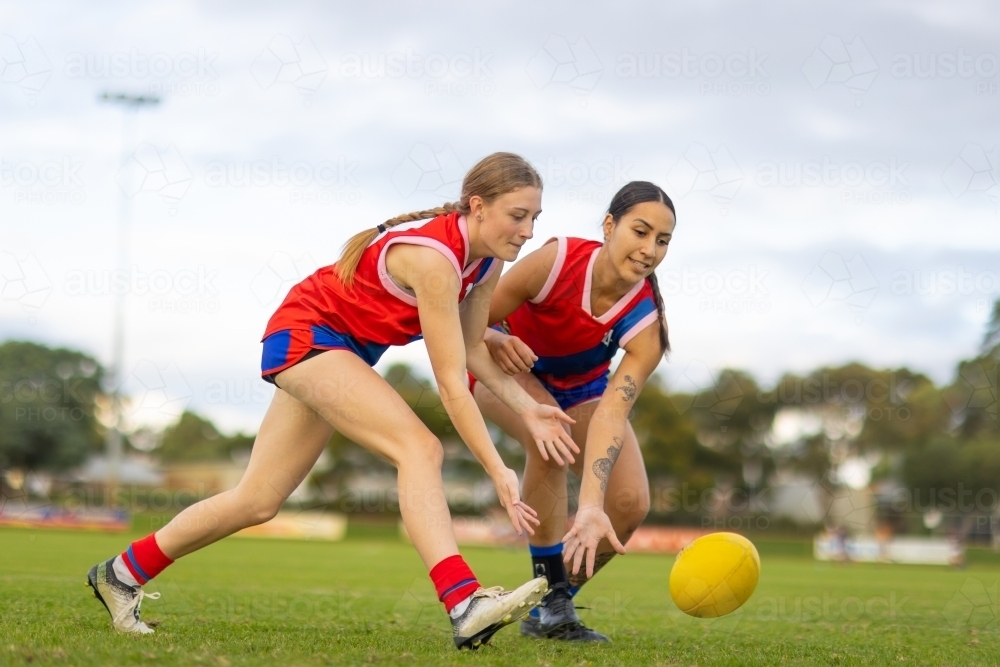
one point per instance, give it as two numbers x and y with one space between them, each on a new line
565 310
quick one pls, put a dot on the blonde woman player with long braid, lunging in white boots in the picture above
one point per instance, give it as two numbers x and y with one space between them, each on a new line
429 274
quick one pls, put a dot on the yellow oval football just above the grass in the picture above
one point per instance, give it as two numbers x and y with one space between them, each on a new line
714 575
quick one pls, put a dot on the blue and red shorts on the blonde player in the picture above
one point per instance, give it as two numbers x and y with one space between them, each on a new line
283 349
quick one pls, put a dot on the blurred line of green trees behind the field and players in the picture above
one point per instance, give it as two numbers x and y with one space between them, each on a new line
734 433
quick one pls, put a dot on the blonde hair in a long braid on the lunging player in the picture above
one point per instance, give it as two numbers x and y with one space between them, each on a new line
494 175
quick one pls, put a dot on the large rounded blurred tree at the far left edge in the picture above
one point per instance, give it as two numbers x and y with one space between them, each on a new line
49 398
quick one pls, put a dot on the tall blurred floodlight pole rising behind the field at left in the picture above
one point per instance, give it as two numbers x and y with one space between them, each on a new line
130 105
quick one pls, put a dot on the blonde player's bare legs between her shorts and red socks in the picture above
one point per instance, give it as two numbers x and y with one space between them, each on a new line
335 389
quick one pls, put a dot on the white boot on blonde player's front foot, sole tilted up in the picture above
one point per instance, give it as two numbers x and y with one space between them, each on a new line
492 608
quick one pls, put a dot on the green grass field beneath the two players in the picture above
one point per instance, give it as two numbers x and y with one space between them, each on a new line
368 600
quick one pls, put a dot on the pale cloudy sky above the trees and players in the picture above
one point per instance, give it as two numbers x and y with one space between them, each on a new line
835 170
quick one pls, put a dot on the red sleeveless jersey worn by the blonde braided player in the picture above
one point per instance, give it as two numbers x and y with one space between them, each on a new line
375 310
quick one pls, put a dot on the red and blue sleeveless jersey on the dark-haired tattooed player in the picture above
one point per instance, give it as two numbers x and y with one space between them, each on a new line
572 345
